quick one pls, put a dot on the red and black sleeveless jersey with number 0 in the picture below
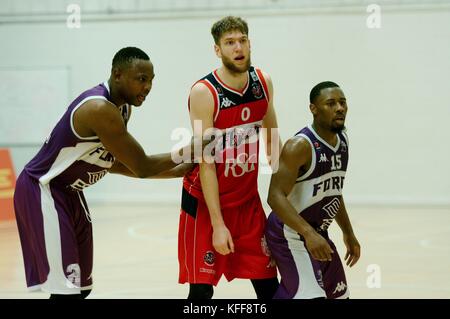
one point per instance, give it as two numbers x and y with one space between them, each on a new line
241 113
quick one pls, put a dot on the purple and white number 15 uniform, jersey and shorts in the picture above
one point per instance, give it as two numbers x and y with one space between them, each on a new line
316 196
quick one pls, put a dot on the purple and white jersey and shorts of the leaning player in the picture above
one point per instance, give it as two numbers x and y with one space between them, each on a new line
52 215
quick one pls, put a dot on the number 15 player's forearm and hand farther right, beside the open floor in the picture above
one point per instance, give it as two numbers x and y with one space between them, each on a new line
351 243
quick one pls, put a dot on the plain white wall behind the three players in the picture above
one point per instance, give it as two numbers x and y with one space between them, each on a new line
395 79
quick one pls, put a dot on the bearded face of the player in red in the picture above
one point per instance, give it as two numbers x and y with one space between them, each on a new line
234 50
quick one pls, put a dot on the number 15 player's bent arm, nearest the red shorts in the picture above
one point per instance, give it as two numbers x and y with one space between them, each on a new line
296 153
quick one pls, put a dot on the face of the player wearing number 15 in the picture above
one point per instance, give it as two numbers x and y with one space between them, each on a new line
330 109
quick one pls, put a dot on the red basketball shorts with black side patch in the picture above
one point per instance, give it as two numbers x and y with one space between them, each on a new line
200 263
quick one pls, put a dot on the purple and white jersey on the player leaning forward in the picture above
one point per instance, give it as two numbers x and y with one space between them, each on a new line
69 160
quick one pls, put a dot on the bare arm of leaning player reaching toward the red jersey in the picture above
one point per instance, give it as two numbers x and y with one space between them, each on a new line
103 119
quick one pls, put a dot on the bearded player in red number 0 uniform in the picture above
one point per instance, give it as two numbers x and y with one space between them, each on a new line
222 220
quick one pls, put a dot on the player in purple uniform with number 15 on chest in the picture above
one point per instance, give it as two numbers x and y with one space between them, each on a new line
306 196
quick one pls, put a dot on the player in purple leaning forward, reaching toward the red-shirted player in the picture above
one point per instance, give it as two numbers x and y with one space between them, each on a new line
90 140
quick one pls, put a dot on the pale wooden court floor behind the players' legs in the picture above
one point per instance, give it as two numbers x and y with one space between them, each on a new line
135 254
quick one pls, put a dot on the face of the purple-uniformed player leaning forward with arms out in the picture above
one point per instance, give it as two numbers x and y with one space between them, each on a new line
136 82
